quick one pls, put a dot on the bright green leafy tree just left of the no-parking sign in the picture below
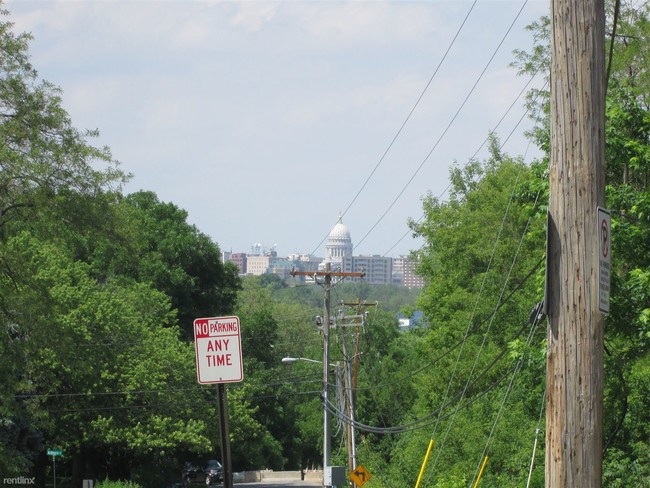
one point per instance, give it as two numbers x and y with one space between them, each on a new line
127 392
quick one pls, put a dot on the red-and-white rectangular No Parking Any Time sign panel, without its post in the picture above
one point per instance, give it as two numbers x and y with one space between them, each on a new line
218 350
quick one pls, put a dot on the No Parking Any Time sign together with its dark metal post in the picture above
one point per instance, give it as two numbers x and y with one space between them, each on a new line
217 342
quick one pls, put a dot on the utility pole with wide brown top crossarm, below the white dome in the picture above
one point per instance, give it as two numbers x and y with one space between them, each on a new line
327 275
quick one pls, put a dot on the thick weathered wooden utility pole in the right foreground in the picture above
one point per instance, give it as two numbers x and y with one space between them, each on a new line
574 401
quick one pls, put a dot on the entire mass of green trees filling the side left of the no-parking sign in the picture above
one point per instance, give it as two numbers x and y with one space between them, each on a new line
95 293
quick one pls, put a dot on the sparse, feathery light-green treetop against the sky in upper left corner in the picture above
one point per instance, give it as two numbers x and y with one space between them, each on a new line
42 155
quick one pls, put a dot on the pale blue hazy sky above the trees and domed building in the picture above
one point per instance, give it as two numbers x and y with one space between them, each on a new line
267 120
